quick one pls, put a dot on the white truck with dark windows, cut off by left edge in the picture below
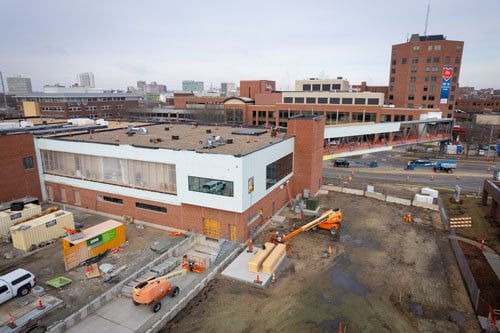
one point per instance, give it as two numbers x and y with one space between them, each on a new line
16 283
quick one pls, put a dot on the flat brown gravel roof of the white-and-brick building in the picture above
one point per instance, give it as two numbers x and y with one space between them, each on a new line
186 137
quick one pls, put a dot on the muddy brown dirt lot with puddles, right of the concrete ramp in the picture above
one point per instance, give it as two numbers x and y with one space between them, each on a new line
388 276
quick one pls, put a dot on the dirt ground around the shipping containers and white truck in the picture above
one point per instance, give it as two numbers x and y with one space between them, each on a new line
47 263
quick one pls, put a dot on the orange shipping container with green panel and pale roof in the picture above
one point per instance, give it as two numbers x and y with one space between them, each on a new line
96 240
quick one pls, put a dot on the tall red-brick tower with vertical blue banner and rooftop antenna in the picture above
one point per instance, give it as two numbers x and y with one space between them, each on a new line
424 73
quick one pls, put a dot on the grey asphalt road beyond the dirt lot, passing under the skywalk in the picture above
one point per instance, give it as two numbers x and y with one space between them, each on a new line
469 175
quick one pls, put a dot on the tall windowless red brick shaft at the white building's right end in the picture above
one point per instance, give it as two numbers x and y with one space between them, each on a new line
308 152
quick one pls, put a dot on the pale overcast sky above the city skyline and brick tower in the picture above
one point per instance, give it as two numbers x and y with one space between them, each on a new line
50 41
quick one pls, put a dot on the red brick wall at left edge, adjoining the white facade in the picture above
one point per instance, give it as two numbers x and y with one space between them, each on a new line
15 181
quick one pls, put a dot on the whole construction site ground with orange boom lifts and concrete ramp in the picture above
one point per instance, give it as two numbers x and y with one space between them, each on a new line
354 262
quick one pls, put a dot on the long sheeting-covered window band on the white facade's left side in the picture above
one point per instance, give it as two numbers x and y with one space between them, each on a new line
152 176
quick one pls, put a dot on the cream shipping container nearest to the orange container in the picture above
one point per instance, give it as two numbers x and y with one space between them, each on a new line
41 229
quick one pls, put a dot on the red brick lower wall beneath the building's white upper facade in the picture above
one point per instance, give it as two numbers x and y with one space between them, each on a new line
181 217
